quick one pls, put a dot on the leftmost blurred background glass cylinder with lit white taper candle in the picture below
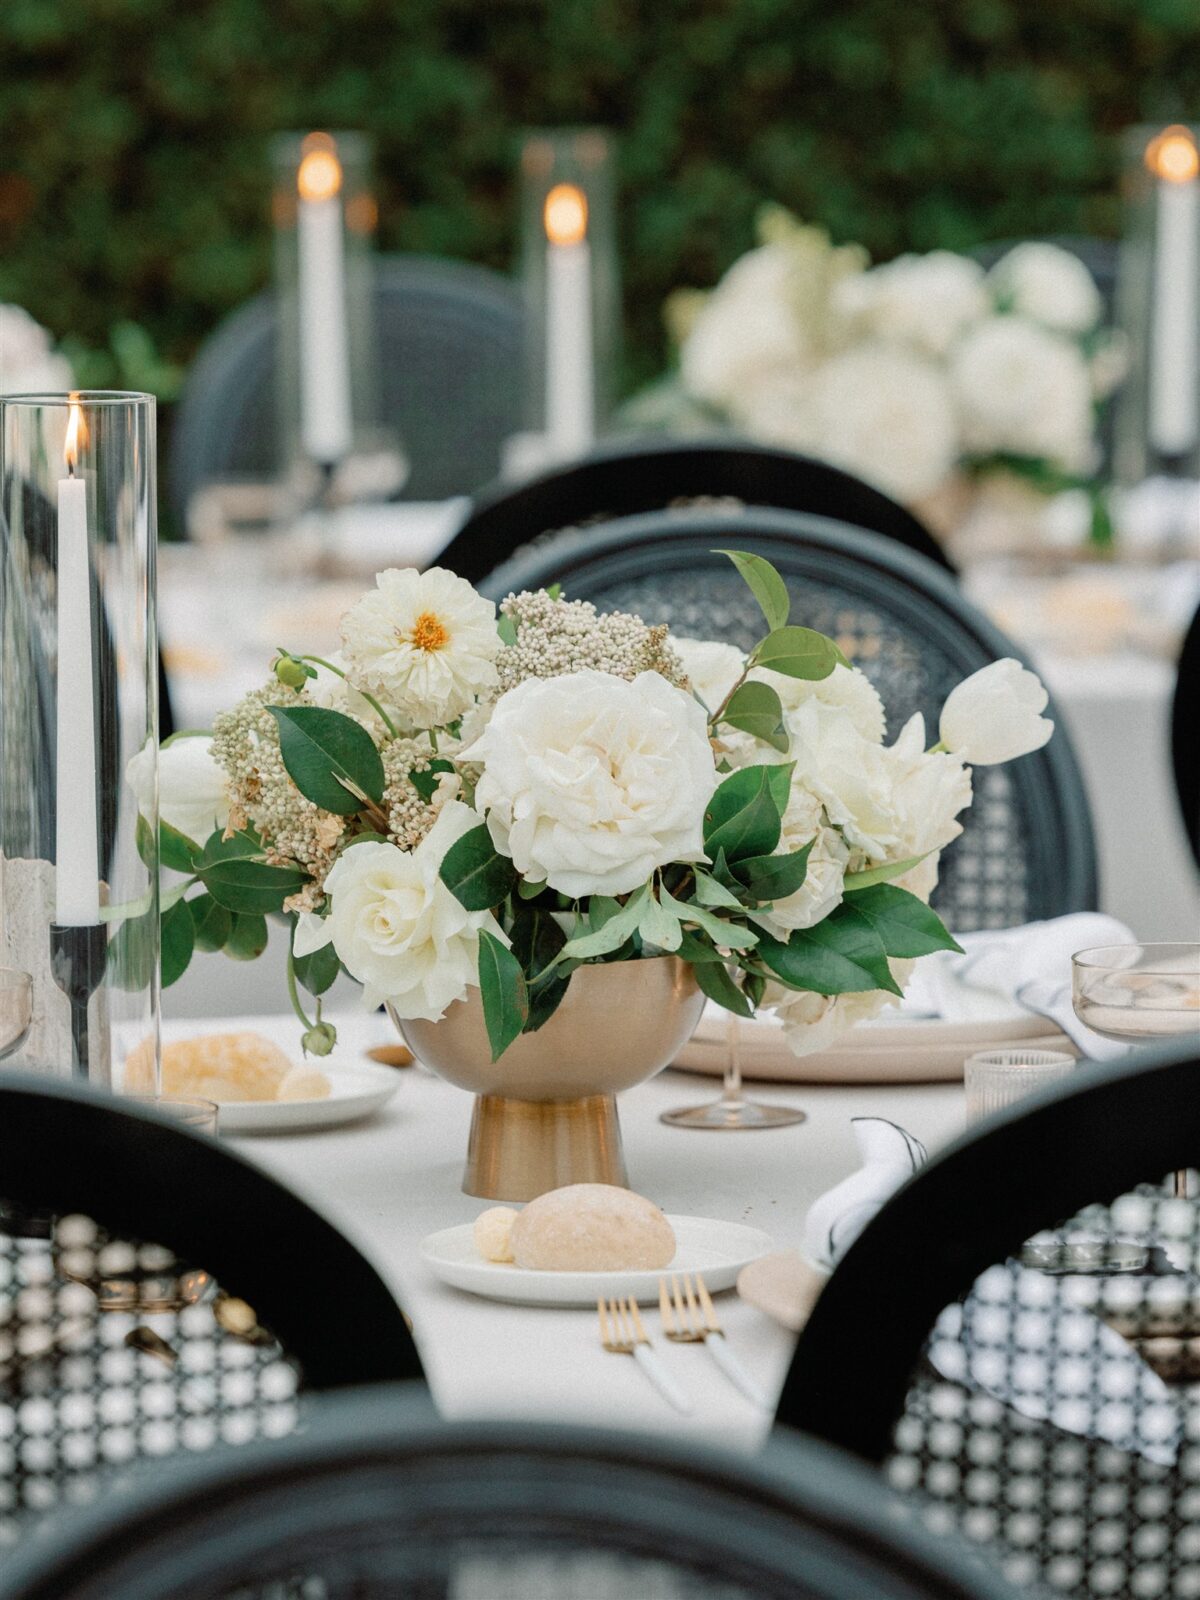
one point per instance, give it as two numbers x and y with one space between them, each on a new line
326 217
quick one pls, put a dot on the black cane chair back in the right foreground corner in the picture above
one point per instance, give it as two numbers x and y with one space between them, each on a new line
1007 1394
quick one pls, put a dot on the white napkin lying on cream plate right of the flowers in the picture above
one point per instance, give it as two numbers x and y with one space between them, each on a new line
1010 972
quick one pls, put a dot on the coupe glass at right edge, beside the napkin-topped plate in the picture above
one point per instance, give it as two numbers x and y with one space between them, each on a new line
1135 993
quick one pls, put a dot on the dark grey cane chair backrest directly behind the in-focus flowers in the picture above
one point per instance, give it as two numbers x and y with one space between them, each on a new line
1028 849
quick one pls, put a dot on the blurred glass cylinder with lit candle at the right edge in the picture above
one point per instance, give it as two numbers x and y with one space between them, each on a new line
1159 305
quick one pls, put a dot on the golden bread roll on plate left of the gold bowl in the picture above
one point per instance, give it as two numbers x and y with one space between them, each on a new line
226 1068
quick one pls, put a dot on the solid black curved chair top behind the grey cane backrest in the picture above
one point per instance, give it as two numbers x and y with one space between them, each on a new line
633 476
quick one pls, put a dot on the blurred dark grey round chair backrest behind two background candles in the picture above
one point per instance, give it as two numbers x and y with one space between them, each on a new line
449 350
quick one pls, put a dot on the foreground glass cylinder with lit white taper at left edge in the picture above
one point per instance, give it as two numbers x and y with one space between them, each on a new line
79 714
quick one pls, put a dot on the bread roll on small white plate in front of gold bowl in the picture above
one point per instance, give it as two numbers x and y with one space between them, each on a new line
593 1228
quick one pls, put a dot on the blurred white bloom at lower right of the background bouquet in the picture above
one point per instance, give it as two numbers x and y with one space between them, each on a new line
1023 391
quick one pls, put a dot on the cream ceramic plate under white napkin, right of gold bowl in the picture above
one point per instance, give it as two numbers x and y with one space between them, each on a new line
898 1050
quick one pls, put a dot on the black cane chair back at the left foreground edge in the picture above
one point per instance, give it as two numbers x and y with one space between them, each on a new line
159 1295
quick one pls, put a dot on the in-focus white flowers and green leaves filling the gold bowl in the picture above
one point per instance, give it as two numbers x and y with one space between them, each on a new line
470 802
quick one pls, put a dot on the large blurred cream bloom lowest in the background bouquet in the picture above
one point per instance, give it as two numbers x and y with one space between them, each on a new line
886 414
